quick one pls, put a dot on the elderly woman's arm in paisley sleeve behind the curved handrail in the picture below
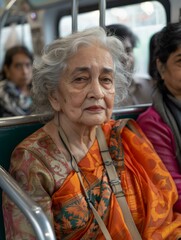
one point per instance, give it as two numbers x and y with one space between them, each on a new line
35 179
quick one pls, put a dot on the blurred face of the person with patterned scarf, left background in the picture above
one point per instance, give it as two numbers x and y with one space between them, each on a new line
20 70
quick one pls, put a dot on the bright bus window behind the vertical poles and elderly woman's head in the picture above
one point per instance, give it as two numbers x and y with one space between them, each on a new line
144 19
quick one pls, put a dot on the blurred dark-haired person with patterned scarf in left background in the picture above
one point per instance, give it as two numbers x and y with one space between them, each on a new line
15 87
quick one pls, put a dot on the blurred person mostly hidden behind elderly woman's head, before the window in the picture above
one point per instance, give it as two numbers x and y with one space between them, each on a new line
140 89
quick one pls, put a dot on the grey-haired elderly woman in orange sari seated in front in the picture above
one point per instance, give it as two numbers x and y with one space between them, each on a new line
66 167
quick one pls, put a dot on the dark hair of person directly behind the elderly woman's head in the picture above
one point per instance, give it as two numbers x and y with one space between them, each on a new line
122 32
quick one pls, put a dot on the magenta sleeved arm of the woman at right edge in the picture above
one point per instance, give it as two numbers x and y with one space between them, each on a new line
162 139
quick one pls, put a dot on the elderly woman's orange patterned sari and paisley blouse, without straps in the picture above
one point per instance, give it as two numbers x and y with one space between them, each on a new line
148 188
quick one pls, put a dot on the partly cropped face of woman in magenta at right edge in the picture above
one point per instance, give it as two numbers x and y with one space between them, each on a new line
171 73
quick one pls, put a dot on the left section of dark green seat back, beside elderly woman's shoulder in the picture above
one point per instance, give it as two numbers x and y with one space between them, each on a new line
13 131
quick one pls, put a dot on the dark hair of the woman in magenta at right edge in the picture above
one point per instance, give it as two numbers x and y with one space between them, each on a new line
167 42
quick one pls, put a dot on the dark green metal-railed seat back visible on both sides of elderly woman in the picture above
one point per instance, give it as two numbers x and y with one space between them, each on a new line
14 130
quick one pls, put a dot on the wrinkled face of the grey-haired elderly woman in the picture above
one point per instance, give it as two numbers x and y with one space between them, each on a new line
86 90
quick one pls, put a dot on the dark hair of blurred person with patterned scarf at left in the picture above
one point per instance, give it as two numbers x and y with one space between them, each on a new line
11 52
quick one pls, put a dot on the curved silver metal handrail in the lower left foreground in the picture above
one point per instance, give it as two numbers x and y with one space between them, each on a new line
31 210
